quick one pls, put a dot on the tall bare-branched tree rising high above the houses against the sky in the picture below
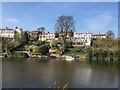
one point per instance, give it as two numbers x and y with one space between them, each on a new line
64 25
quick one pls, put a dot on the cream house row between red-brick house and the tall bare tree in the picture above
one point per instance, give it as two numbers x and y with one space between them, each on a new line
48 37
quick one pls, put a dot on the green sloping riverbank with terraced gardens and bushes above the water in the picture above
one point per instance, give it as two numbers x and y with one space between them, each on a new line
96 51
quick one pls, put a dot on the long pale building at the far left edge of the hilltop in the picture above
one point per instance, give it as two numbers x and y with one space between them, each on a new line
7 33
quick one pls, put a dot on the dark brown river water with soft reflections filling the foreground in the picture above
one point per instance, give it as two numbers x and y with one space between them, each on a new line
36 73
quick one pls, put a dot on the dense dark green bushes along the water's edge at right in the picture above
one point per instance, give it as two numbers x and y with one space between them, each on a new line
103 55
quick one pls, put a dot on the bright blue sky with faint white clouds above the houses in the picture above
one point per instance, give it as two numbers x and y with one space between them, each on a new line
91 17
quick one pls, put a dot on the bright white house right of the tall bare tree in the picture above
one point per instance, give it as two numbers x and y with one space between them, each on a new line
84 38
